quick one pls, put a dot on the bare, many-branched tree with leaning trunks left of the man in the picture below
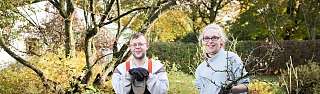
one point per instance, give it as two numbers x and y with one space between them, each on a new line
95 20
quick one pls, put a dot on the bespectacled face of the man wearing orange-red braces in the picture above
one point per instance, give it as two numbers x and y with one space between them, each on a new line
139 47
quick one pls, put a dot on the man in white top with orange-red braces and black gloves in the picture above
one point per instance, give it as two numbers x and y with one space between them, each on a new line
139 74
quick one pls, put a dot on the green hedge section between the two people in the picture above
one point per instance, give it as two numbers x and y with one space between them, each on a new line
184 55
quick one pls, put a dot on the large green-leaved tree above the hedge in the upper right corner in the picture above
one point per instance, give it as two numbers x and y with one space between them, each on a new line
285 20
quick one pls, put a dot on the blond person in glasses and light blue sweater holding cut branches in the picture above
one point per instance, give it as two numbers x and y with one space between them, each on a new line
219 67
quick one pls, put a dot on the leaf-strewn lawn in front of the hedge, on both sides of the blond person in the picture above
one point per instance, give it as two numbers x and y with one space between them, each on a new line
181 83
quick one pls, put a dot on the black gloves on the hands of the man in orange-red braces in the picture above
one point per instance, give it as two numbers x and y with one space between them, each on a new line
139 74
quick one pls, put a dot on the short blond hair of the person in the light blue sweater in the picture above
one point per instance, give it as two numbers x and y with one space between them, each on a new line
214 27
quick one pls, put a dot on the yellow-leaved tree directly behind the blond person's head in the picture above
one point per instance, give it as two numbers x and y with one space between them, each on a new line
204 12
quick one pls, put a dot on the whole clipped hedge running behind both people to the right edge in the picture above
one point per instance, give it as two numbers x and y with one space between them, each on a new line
273 55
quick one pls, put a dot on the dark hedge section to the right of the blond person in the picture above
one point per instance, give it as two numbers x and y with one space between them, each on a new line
275 57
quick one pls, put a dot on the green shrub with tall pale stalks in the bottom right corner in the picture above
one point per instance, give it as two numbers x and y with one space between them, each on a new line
303 79
